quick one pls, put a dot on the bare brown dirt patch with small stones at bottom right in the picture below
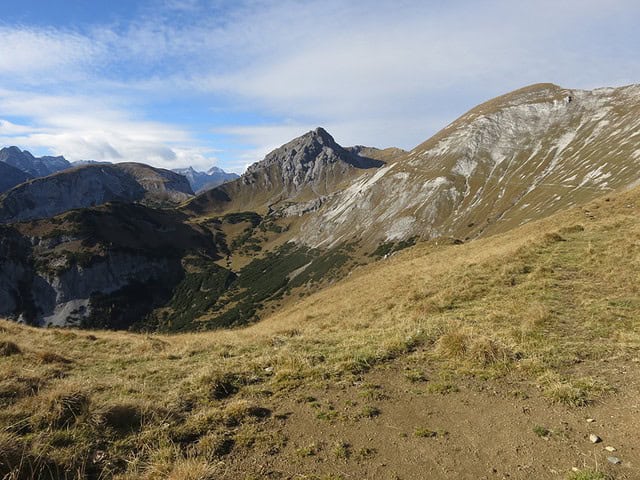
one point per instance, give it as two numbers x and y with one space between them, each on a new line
485 430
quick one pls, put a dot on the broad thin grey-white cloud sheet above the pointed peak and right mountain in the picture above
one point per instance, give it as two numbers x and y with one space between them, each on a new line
401 68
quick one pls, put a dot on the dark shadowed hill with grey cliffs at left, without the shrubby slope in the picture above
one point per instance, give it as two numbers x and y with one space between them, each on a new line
105 267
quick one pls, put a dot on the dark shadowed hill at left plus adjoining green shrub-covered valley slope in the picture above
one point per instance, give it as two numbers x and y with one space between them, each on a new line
127 266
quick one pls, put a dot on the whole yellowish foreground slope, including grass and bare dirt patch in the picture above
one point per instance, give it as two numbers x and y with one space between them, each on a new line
407 368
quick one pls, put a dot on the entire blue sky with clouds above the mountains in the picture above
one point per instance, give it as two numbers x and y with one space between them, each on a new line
176 83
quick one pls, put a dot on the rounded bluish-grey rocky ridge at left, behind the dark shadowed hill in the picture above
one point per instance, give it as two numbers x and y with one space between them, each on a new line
91 185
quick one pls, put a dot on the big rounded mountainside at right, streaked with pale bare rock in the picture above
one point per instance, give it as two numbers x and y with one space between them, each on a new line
511 160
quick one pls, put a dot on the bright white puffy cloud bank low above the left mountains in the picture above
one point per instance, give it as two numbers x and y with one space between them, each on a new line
84 128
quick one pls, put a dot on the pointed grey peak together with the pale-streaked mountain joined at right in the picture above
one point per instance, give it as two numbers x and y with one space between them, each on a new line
516 158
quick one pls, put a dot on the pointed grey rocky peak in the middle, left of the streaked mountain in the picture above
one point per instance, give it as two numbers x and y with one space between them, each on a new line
310 166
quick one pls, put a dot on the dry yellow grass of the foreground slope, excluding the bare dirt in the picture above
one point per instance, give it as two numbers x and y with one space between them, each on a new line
543 305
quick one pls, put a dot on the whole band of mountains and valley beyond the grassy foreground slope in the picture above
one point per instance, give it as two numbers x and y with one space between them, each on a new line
307 214
